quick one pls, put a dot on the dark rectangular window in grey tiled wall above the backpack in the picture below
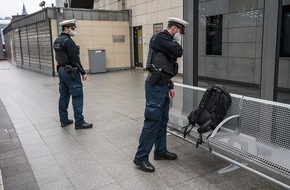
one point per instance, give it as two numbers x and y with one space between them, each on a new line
214 25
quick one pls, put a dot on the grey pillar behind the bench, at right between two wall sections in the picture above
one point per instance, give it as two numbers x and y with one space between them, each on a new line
270 50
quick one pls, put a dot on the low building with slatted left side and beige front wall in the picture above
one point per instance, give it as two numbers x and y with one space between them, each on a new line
29 39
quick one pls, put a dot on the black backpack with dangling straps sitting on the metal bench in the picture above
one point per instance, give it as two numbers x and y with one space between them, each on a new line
212 109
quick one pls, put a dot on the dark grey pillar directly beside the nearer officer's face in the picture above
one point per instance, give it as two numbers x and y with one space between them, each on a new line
190 45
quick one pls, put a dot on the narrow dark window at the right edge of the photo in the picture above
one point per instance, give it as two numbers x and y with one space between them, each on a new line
285 32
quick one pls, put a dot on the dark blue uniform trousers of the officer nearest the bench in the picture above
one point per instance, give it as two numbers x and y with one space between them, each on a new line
155 123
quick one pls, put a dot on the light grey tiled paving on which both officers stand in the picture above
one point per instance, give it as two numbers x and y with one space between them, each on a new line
99 158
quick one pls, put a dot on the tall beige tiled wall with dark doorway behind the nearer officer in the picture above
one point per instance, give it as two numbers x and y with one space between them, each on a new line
148 17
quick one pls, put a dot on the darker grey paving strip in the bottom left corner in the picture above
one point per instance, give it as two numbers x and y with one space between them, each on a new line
16 170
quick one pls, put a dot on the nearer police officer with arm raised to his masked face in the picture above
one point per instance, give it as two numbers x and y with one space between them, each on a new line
161 63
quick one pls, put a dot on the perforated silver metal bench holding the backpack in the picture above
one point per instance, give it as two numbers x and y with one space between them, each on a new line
255 134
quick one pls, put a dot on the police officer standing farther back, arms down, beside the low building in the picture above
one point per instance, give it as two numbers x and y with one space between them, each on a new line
70 72
